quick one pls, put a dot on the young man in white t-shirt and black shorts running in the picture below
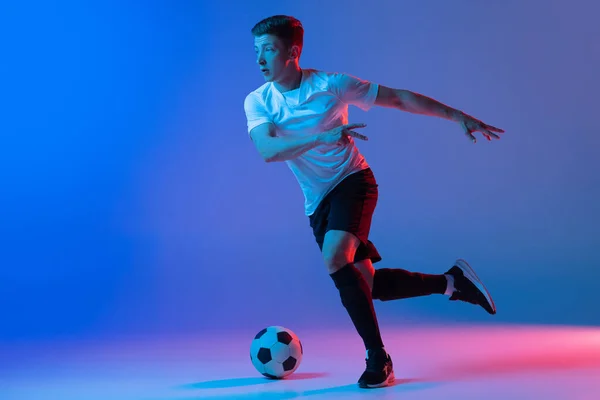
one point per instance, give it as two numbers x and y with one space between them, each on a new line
300 116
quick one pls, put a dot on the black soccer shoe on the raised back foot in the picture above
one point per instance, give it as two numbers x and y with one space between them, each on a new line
468 287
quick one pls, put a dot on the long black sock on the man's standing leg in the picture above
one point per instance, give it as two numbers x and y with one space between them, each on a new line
356 298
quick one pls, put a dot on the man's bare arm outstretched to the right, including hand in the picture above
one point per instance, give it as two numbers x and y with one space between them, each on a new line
416 103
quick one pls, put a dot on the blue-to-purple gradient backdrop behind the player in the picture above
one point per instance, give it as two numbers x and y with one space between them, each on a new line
133 203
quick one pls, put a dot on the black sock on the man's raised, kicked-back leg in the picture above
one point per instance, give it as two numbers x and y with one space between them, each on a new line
393 284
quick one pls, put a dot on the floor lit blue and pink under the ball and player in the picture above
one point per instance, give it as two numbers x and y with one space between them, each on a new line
459 362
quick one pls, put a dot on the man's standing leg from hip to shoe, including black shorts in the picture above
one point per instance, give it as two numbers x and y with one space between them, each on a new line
340 224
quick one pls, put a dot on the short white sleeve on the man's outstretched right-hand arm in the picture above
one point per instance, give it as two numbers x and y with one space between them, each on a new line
353 90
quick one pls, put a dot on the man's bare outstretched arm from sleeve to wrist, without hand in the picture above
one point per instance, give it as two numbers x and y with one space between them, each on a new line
416 103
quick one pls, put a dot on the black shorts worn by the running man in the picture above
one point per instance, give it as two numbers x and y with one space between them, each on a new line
349 207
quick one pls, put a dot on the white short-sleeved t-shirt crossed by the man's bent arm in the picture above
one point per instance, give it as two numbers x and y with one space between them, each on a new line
319 104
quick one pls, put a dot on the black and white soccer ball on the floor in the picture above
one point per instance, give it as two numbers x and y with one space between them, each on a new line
276 352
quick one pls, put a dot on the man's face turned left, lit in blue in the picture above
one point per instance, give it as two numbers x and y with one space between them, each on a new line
271 56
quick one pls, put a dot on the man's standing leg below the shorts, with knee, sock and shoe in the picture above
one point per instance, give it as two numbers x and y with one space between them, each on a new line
339 248
